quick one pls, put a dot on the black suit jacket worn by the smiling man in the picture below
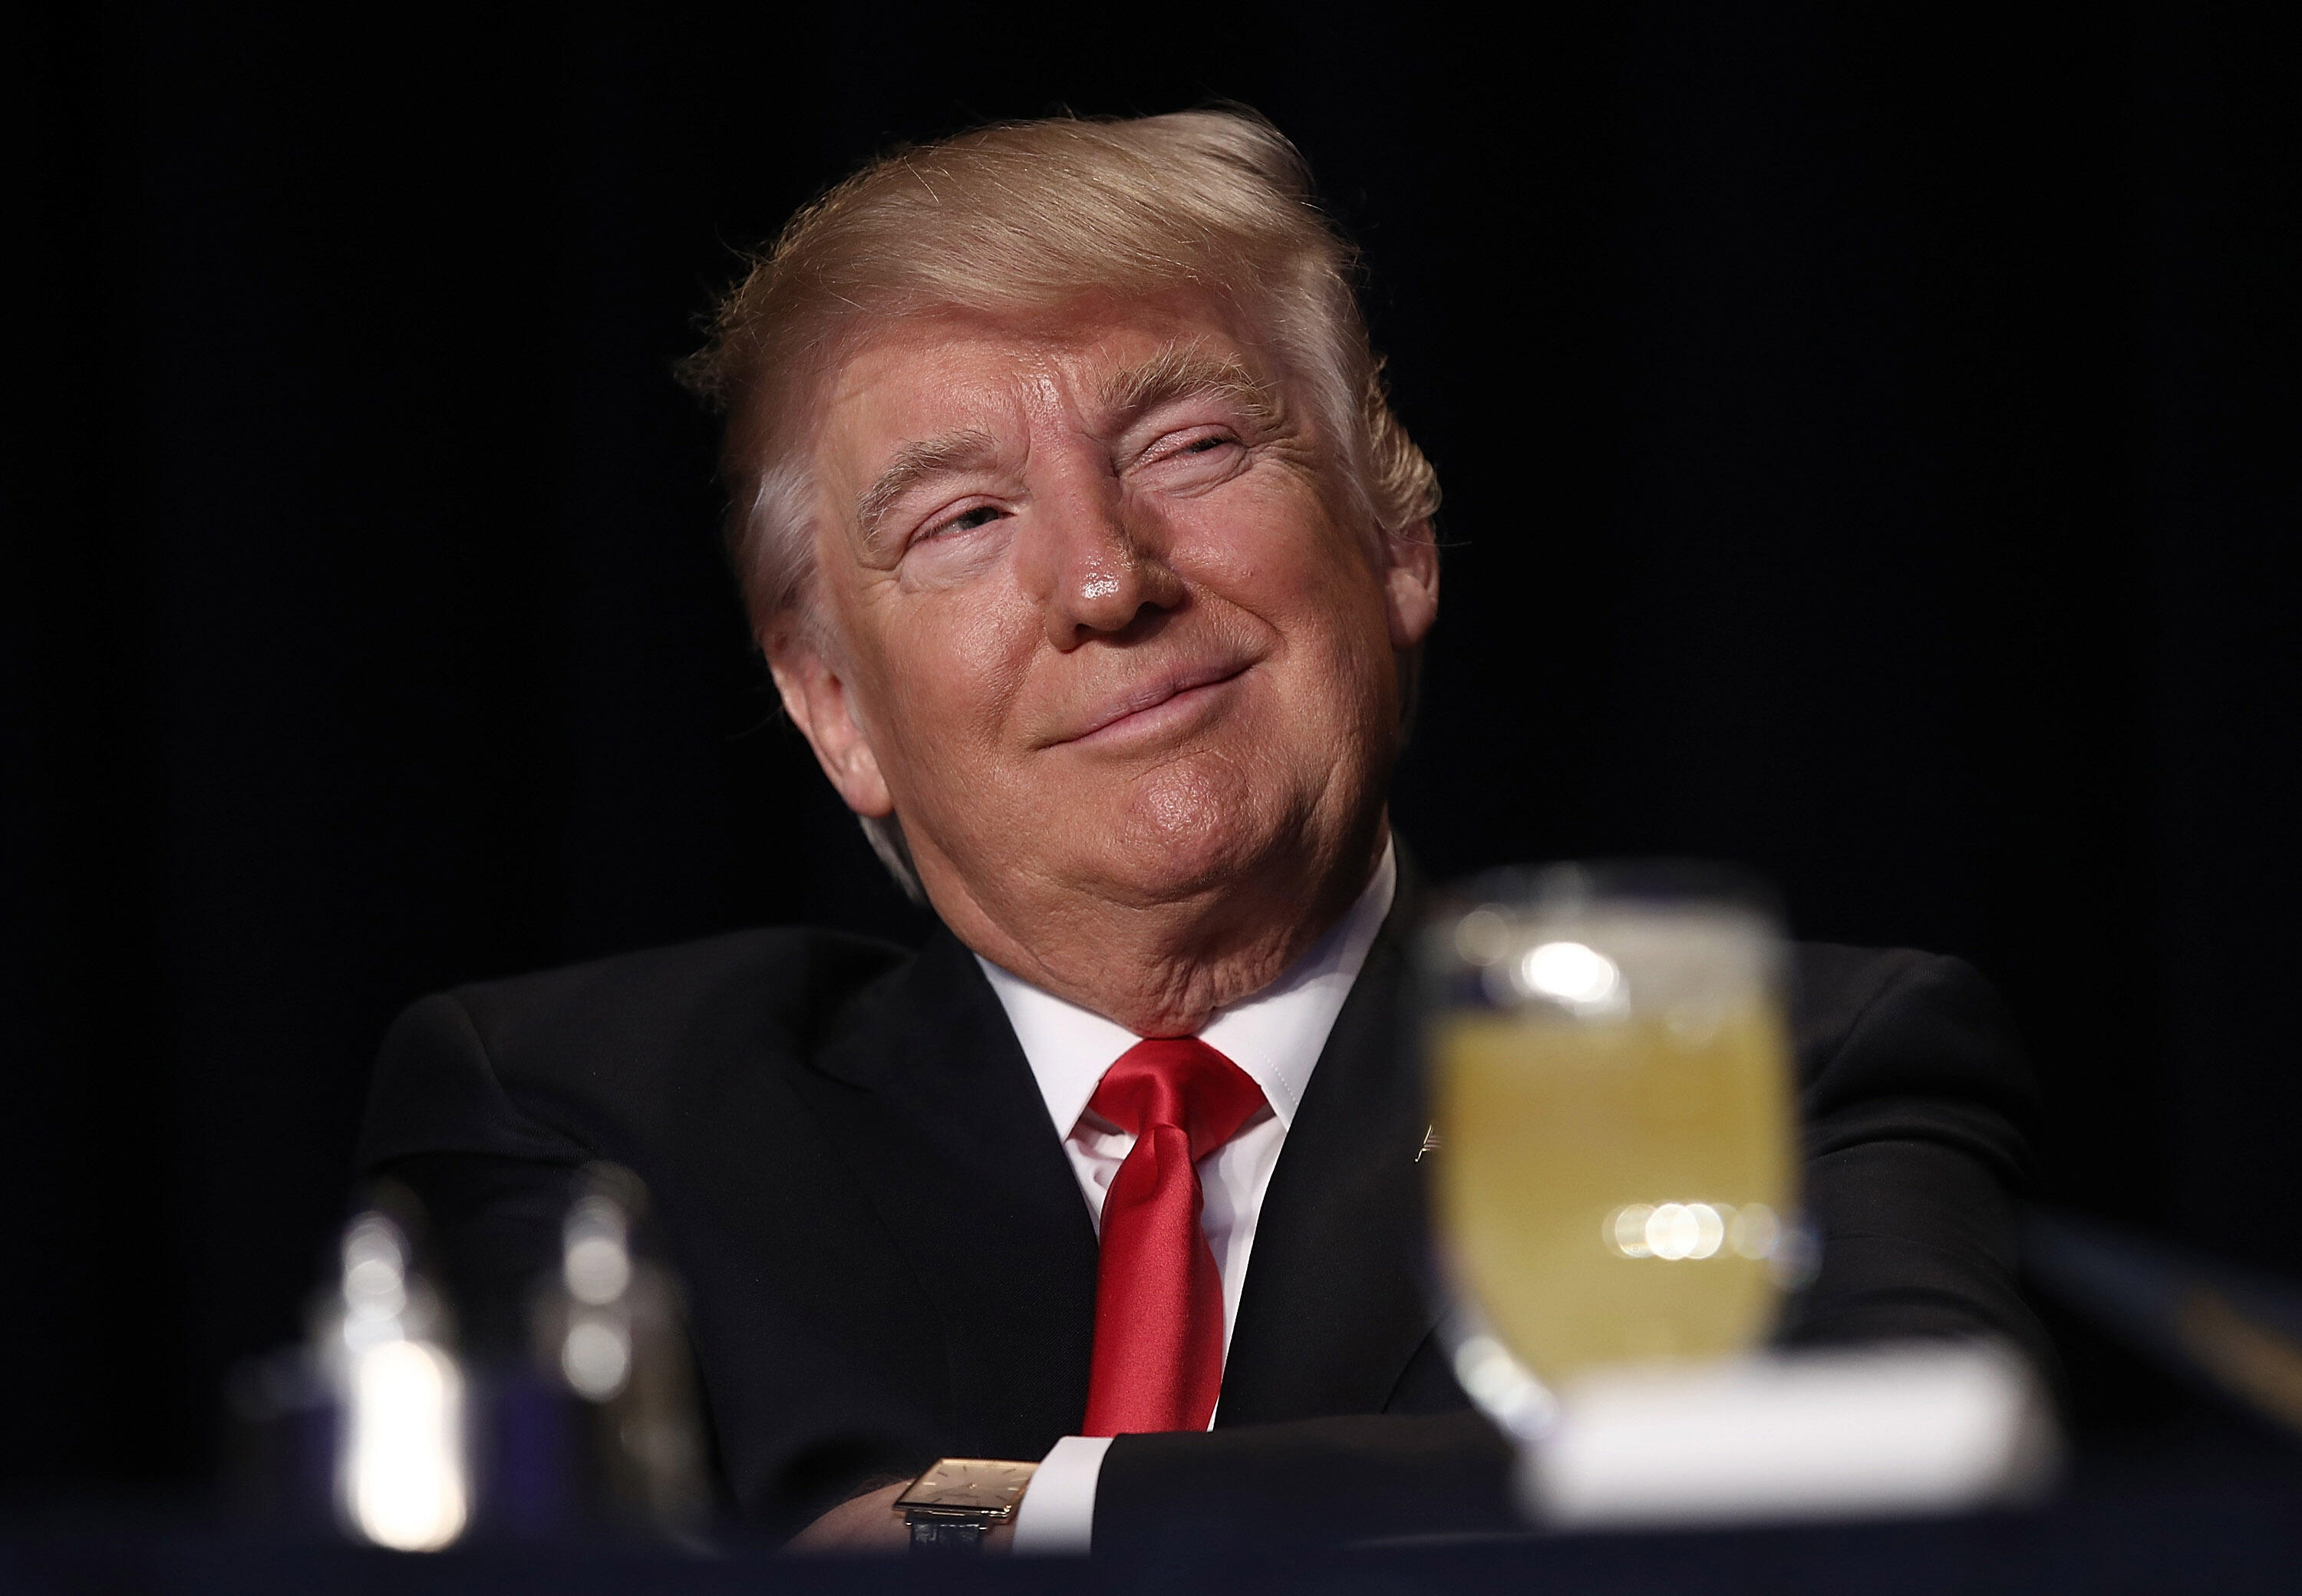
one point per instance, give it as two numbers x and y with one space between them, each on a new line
890 1261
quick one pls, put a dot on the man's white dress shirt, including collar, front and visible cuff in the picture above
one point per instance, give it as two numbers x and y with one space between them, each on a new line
1276 1040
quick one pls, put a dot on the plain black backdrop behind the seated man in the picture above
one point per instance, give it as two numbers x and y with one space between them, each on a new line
1870 455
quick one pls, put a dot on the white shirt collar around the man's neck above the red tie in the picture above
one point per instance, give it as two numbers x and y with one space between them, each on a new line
1274 1038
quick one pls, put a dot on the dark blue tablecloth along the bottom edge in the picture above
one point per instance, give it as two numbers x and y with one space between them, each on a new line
2220 1523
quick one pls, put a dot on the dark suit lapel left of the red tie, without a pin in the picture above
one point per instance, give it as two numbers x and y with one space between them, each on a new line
936 1111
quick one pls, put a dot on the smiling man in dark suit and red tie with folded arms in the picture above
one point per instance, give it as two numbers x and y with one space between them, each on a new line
1095 568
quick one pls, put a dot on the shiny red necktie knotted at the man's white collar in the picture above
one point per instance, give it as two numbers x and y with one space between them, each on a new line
1159 1300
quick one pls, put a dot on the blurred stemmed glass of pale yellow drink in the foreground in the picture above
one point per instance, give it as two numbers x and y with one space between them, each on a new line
1613 1166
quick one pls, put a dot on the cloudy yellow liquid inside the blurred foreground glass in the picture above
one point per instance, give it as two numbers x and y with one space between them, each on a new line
1562 1139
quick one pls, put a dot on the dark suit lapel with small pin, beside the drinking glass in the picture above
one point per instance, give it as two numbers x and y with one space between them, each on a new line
1336 1298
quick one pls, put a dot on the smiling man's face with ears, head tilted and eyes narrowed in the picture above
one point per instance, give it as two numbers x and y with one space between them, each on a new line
1095 616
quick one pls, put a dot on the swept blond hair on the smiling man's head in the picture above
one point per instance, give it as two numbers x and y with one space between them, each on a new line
1030 218
